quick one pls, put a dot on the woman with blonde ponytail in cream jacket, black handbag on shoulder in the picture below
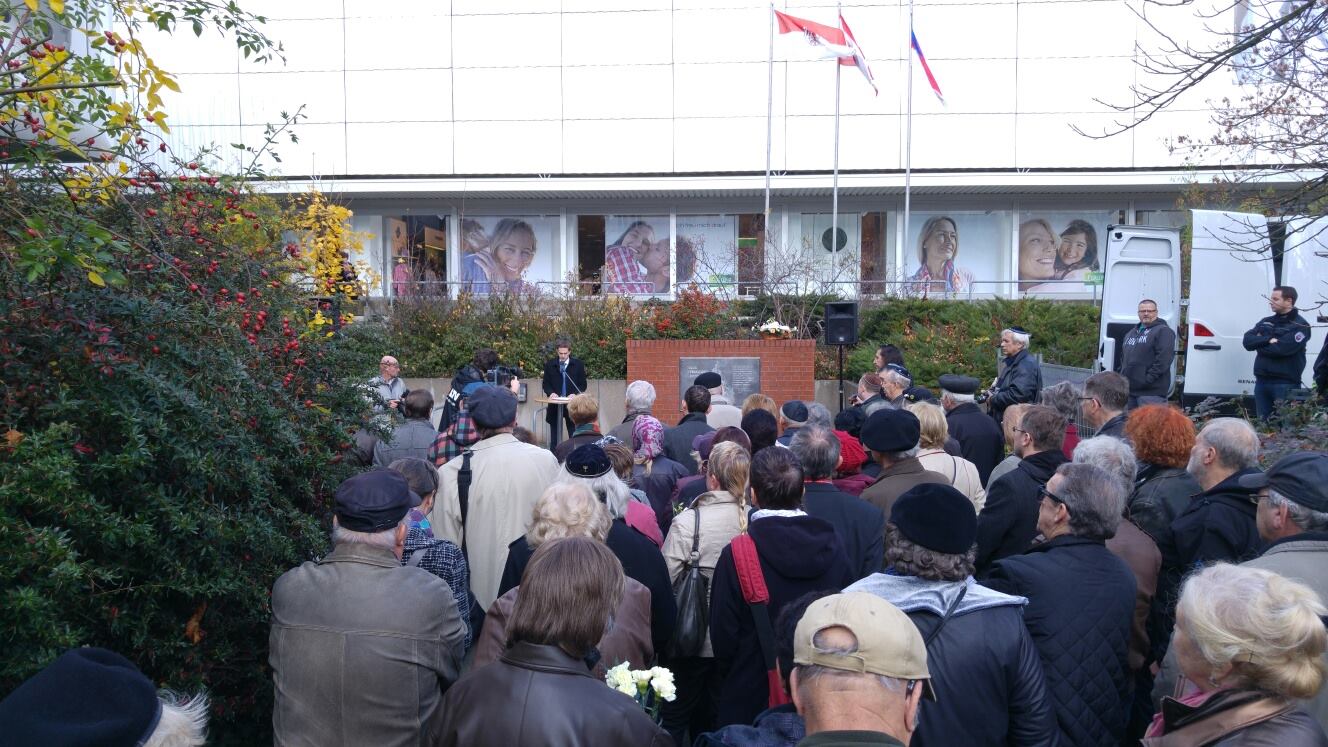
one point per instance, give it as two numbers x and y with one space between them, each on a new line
715 519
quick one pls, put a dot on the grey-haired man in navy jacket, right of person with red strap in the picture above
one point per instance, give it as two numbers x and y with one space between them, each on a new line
861 526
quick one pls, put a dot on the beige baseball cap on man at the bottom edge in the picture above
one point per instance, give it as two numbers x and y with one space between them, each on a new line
889 643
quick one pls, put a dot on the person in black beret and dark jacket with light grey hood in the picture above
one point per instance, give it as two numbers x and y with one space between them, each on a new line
985 668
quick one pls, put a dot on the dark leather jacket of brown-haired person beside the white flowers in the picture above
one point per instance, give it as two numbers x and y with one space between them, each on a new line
536 696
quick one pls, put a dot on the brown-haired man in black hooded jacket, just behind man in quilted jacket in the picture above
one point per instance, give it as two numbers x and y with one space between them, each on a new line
1009 523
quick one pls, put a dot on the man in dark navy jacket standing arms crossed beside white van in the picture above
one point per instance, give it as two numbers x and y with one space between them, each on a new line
1280 345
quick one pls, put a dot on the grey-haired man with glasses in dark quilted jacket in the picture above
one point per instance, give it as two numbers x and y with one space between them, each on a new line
1080 604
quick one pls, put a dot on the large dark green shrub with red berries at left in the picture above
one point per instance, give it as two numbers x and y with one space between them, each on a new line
173 446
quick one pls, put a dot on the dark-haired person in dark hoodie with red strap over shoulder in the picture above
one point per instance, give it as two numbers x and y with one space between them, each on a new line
799 554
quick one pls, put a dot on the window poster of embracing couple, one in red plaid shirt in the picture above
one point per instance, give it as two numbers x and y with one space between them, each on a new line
637 255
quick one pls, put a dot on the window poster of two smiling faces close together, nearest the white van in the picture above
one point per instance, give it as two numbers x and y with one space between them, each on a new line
1062 253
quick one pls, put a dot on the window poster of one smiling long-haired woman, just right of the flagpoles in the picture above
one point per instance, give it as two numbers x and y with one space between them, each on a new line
949 252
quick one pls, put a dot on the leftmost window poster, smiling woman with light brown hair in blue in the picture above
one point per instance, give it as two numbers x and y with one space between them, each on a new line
507 253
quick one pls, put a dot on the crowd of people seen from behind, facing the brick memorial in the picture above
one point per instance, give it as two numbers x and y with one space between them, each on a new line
1076 566
